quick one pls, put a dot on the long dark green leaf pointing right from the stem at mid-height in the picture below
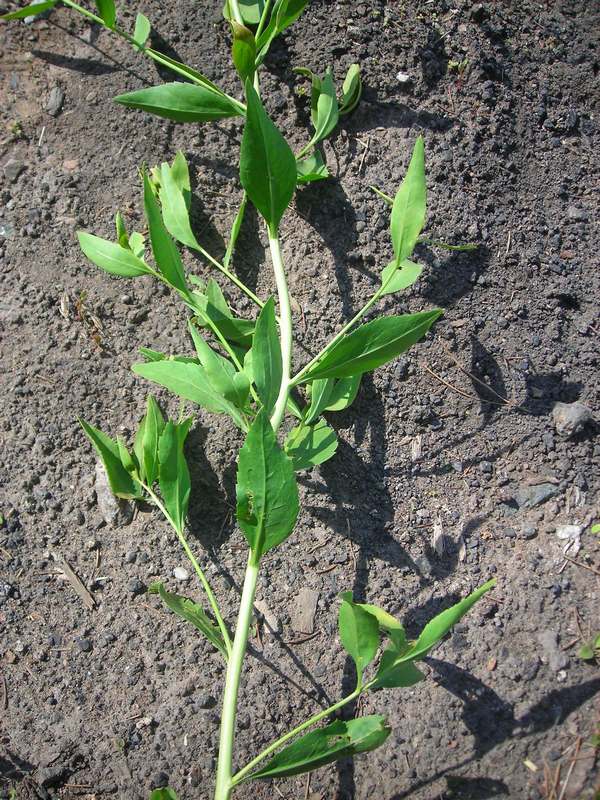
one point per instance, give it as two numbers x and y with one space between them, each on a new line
372 345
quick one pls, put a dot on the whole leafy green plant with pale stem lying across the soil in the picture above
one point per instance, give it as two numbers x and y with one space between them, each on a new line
245 369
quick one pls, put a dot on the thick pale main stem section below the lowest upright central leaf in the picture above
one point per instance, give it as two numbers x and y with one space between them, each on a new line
232 682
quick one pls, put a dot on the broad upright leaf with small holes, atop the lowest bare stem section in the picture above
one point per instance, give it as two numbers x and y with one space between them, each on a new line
267 493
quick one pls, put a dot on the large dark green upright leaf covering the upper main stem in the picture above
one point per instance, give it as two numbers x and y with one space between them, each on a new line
267 164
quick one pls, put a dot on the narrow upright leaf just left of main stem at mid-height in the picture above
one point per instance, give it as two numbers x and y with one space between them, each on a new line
267 364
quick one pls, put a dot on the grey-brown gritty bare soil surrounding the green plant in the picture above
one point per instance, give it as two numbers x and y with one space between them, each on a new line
455 463
